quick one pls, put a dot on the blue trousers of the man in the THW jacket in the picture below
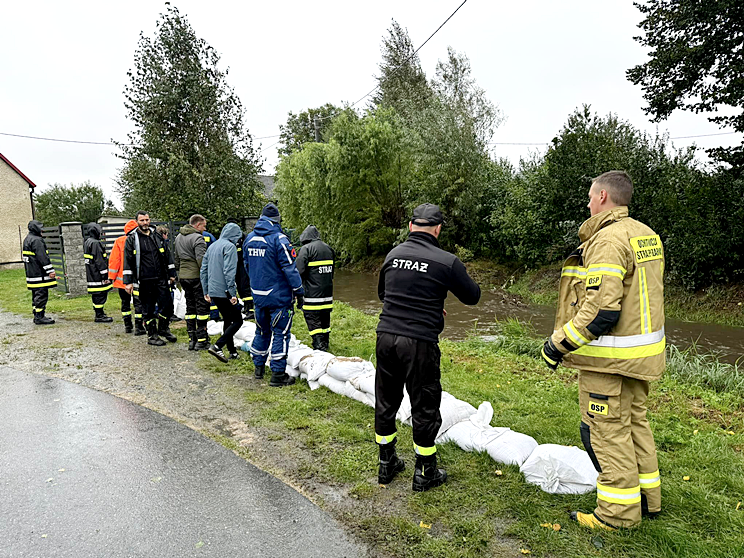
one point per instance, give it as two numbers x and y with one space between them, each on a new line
273 330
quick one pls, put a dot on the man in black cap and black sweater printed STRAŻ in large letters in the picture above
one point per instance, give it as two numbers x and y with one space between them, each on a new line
414 281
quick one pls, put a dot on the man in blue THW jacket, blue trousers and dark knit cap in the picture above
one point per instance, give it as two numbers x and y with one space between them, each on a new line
275 284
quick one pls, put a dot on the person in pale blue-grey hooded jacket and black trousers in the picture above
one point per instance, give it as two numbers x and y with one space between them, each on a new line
218 271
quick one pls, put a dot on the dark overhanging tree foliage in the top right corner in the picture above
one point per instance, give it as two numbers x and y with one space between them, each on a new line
695 63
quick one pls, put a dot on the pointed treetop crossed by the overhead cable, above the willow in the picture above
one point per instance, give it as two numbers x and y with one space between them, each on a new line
402 82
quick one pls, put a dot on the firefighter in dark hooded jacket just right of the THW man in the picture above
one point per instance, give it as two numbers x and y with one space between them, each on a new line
315 264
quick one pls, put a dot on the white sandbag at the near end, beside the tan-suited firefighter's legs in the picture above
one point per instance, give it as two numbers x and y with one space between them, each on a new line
560 469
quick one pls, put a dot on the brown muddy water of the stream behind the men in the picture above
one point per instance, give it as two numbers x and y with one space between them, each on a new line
360 291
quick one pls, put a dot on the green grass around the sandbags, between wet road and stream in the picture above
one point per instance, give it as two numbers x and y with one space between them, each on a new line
696 411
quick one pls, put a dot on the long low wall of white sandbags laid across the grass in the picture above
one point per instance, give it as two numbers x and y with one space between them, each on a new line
555 469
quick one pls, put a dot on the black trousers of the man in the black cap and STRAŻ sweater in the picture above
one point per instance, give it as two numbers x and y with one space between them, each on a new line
403 361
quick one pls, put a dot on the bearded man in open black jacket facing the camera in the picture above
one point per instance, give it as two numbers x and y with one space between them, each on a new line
148 269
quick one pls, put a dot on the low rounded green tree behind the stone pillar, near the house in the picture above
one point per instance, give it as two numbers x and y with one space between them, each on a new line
85 203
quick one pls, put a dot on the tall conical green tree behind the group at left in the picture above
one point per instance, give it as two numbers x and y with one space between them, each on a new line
190 150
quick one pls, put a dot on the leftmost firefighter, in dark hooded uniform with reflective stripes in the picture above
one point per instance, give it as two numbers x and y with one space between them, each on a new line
40 274
